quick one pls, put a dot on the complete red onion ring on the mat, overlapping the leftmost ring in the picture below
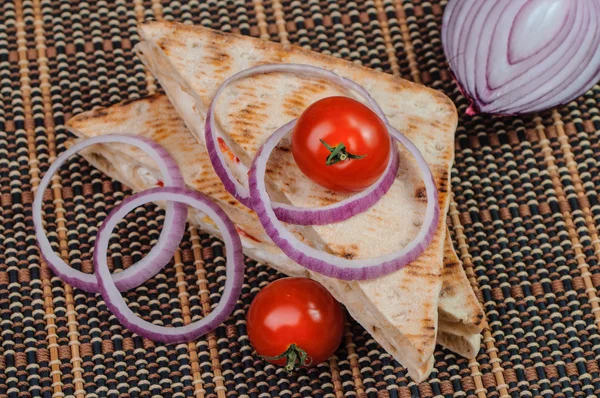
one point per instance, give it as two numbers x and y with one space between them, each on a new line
234 267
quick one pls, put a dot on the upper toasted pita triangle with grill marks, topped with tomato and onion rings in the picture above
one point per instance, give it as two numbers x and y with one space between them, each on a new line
191 62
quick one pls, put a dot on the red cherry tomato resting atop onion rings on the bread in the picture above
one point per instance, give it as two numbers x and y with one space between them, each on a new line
327 124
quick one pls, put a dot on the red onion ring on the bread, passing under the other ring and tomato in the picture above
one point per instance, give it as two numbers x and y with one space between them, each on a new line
288 213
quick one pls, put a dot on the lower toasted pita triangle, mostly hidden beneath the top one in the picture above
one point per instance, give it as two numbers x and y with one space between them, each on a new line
154 117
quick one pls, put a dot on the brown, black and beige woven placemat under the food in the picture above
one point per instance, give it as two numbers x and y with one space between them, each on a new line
524 215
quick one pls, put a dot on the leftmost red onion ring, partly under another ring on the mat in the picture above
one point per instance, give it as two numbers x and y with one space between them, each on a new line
161 253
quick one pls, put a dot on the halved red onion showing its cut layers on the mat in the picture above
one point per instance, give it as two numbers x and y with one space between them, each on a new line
522 56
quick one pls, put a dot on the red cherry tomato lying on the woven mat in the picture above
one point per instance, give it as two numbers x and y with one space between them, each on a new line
295 322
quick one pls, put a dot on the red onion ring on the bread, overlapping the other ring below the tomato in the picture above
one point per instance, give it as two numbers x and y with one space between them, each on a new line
328 264
